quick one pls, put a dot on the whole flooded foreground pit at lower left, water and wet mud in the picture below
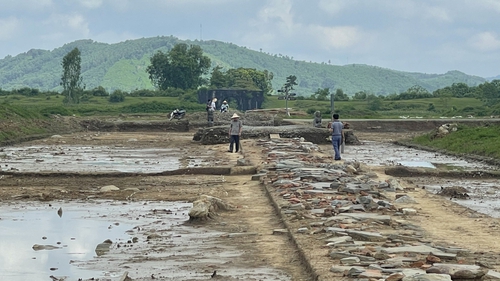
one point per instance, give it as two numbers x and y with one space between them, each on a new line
149 239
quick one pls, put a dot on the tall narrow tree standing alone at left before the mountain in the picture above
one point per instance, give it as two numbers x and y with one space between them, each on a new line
71 81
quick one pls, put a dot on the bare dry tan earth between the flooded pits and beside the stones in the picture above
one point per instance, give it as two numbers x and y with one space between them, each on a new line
254 219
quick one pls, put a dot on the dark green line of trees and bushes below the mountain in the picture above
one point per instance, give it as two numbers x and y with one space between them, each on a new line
184 69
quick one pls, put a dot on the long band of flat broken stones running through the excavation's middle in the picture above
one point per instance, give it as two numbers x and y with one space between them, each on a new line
365 223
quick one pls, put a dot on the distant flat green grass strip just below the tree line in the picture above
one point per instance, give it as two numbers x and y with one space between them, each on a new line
430 108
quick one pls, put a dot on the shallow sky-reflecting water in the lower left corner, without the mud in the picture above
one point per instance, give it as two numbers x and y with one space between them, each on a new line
41 240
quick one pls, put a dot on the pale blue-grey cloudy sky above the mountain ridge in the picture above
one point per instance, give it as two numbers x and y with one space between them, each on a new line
429 36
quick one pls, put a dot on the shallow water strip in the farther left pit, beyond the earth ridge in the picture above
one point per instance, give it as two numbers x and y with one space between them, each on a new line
66 158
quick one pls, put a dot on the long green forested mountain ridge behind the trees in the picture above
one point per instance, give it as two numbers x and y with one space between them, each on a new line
123 66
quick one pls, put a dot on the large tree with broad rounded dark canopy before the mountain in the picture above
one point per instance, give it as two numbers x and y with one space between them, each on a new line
182 67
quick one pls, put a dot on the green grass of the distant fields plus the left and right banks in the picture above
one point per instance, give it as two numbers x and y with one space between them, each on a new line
28 111
